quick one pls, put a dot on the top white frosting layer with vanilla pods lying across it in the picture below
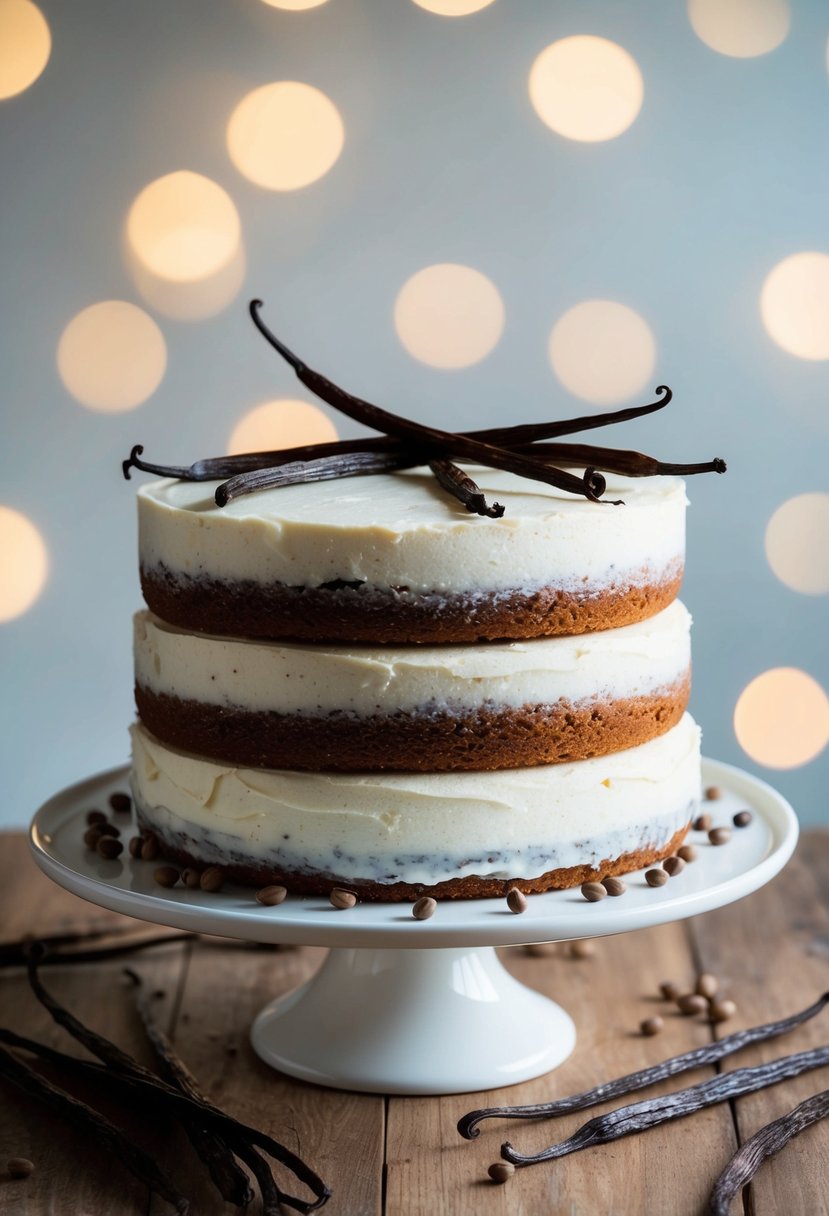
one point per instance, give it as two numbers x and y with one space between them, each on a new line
306 536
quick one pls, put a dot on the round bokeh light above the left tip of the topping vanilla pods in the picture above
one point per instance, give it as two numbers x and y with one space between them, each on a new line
112 357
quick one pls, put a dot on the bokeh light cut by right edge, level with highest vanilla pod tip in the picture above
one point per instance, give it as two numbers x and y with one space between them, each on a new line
794 306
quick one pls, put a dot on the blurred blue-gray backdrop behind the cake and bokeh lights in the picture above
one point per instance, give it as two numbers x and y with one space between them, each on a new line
721 177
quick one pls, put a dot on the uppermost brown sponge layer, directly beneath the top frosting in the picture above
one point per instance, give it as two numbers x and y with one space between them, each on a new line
342 612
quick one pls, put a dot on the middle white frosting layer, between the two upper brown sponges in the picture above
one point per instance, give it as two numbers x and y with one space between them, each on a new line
292 679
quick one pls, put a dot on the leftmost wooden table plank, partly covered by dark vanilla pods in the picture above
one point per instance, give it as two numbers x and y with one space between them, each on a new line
70 1174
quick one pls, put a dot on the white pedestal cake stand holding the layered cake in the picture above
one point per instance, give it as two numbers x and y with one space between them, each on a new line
404 1006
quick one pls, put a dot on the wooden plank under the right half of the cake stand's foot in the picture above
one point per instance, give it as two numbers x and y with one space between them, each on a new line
663 1172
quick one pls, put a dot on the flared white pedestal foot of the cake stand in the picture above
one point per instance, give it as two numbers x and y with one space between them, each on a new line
414 1022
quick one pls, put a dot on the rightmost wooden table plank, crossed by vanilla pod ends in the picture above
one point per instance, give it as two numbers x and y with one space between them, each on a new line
771 953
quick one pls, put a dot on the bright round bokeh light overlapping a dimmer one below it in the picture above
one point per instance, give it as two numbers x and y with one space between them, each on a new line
184 228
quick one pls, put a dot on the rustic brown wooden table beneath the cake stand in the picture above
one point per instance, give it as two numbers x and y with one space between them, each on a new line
403 1156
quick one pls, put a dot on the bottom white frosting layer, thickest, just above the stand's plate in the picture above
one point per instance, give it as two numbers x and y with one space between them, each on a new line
426 827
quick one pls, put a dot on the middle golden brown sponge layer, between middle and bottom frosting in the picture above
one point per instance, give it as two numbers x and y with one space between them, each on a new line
413 742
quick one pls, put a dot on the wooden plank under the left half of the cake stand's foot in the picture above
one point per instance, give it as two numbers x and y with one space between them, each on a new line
340 1135
